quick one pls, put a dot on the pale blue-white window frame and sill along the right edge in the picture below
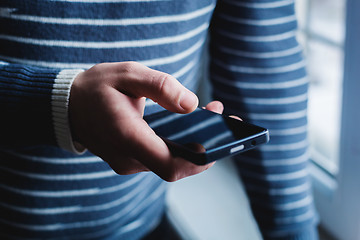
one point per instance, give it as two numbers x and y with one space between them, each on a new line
337 197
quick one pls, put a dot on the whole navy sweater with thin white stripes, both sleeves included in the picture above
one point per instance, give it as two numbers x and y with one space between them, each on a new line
47 190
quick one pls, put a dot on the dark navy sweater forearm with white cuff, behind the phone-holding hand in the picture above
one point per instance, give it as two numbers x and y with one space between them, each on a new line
34 106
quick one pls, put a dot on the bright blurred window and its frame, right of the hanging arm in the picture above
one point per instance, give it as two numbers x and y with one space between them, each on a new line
329 33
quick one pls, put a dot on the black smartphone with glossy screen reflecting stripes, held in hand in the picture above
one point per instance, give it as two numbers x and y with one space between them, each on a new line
204 136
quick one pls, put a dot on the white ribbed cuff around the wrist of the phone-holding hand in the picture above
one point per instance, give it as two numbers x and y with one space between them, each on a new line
59 105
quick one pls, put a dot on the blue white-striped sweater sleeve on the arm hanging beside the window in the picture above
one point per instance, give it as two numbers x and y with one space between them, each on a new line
258 72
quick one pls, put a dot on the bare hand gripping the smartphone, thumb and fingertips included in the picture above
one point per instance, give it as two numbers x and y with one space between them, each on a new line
106 116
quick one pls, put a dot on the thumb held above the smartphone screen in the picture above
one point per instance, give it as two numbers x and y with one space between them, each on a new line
161 88
